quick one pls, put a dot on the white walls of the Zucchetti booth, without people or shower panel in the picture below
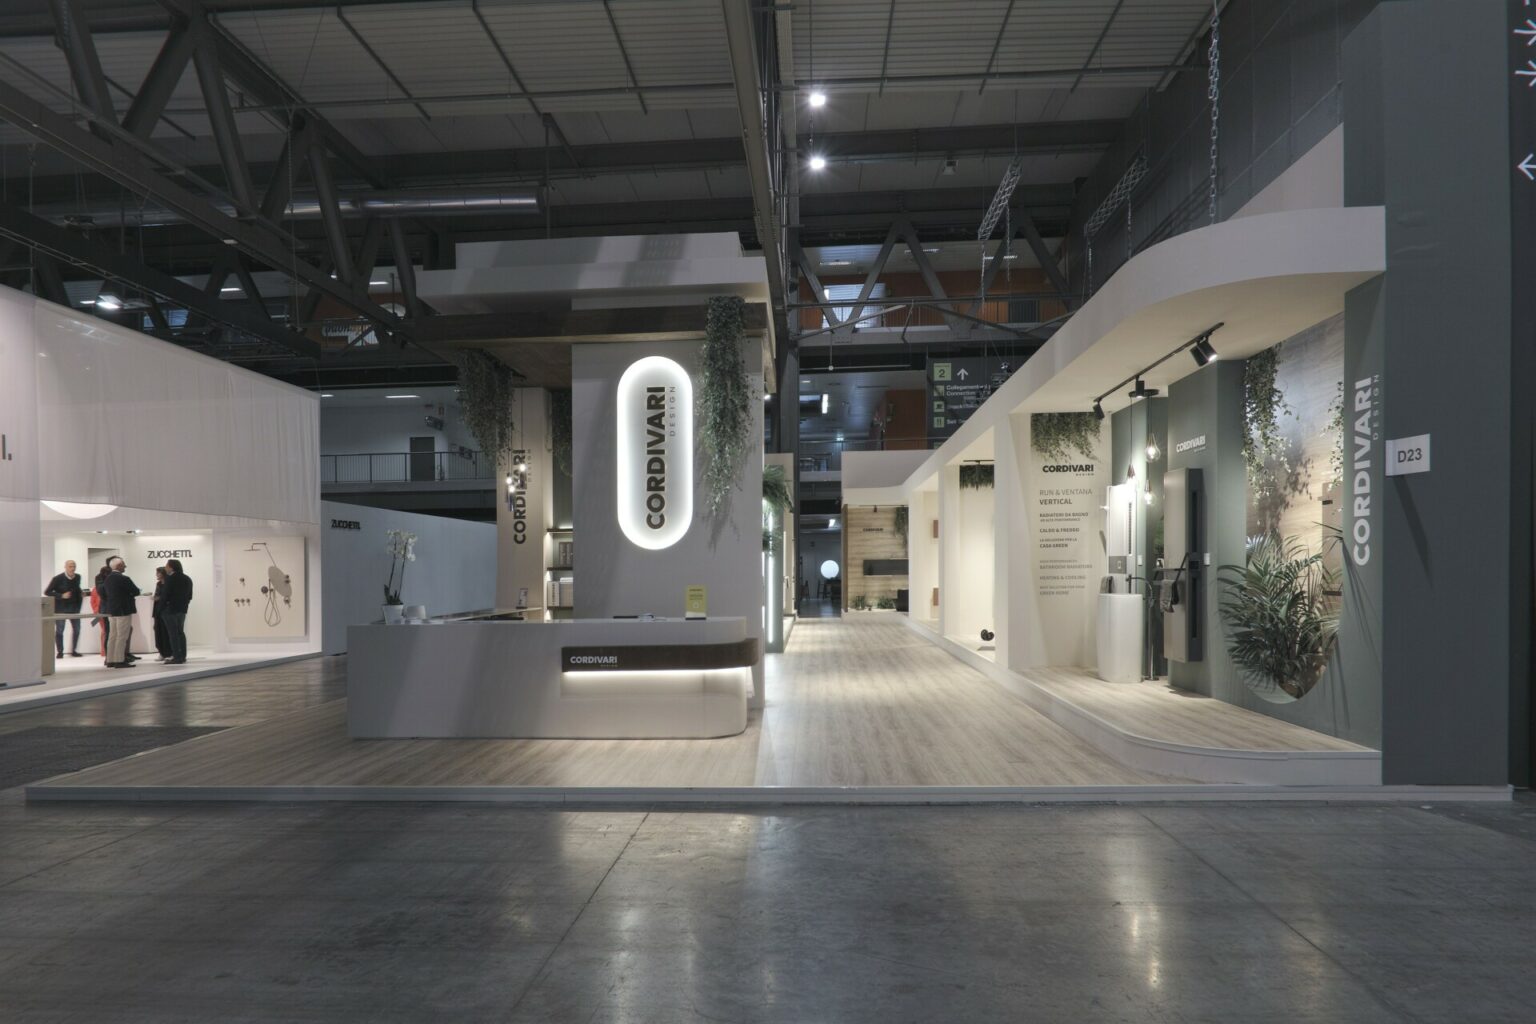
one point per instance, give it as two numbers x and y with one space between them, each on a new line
167 441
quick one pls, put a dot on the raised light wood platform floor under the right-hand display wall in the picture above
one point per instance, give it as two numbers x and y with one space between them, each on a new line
1179 716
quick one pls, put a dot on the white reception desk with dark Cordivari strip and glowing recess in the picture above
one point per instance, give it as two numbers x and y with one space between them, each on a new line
574 679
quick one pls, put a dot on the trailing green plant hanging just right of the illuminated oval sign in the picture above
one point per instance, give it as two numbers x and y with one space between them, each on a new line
724 401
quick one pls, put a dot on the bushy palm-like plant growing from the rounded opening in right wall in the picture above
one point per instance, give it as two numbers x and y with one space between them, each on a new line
1280 616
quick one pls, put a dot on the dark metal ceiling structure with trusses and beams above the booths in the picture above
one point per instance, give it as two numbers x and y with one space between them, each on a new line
150 144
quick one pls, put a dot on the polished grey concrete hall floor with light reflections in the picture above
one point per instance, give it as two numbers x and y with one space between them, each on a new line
412 913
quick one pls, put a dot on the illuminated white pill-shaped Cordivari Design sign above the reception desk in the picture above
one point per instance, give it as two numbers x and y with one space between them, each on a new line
655 452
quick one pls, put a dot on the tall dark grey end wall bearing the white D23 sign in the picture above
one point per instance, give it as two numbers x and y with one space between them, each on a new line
1435 150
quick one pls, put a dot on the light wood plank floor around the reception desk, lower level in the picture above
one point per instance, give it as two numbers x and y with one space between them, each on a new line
864 704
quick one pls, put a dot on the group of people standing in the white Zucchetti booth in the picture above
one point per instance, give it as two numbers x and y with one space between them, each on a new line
113 600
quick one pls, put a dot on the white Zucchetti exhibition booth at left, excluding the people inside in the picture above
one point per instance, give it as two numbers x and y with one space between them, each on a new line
121 444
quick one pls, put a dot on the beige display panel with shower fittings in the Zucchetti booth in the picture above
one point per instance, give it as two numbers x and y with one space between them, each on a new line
265 589
